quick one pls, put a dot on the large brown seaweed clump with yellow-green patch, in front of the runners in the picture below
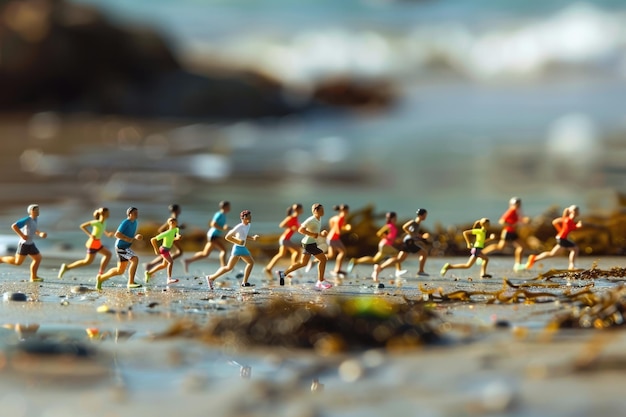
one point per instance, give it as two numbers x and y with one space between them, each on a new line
339 325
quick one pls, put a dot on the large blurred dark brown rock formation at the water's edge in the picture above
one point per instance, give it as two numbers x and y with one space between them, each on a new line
60 56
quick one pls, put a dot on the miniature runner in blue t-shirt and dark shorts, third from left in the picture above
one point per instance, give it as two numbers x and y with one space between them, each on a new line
126 234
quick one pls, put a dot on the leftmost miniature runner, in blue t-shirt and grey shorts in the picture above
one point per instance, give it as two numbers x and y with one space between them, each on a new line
26 229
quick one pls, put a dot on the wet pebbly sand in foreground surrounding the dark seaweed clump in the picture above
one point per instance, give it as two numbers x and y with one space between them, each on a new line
499 358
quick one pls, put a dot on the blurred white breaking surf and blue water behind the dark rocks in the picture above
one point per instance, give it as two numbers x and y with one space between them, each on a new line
484 41
